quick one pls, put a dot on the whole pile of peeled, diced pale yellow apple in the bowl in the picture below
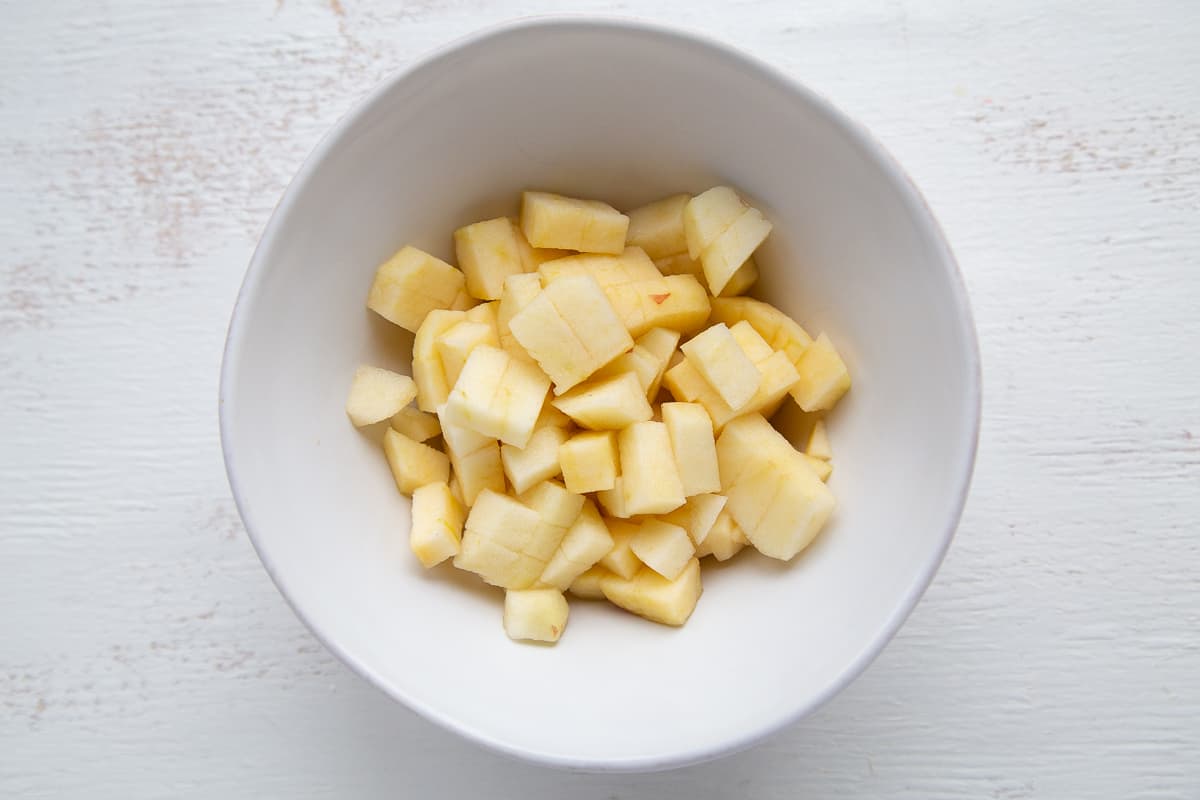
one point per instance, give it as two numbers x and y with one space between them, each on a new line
603 396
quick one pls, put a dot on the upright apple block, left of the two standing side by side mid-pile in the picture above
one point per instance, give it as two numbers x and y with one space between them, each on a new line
650 479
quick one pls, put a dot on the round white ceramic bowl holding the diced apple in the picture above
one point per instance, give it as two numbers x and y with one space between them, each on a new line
629 113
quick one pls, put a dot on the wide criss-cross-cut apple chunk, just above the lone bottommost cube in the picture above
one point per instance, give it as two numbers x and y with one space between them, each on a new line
495 539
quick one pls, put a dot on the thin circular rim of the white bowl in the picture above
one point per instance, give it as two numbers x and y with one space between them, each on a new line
871 149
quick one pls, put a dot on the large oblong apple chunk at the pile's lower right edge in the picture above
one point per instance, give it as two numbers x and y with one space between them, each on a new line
773 496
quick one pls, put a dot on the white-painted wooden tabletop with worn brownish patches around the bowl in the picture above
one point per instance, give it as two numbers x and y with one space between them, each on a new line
145 652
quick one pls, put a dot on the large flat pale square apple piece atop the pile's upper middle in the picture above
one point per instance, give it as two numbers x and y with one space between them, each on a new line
572 330
